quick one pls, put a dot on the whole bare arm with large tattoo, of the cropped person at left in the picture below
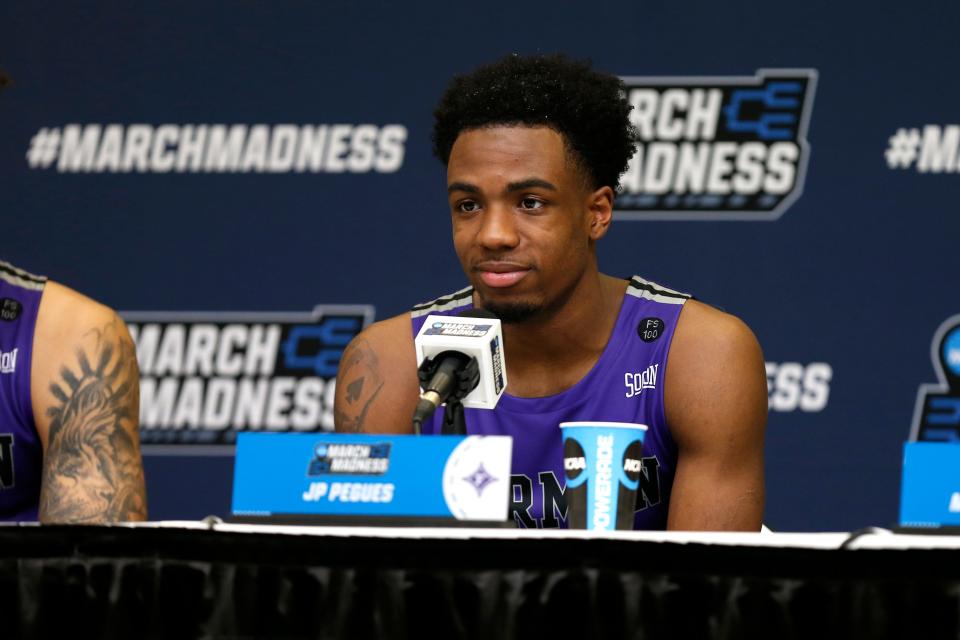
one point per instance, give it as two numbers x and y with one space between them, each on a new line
86 399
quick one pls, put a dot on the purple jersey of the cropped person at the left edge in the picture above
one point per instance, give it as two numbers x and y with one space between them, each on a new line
21 453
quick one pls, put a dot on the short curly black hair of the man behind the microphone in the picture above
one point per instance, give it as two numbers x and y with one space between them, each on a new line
587 107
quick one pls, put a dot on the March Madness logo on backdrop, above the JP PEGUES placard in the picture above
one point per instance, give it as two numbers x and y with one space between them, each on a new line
206 376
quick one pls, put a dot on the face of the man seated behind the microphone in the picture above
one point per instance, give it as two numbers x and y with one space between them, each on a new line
521 218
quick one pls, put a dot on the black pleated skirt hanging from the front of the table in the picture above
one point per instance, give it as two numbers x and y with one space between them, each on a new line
117 582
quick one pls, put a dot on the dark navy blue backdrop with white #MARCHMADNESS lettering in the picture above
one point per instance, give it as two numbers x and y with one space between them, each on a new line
844 290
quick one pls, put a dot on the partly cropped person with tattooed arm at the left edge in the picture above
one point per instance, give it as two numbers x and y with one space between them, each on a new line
69 407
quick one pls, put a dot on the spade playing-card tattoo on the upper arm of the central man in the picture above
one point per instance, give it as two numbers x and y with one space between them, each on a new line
360 375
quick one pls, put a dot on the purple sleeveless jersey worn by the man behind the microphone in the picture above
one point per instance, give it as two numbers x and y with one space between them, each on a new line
625 385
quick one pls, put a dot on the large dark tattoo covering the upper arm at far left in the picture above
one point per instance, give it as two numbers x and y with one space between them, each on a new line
92 466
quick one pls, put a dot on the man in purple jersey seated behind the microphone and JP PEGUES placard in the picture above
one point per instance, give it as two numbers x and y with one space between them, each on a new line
534 149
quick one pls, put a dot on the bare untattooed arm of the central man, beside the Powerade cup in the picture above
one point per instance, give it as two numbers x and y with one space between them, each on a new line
716 405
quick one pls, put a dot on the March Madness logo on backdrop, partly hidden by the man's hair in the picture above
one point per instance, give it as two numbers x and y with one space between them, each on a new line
719 147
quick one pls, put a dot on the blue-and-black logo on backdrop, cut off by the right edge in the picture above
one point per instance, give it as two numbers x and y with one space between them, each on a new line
937 413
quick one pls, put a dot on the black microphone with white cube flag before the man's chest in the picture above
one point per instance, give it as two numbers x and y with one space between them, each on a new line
450 375
